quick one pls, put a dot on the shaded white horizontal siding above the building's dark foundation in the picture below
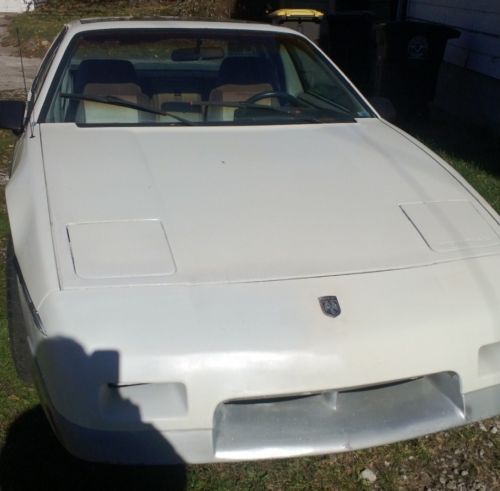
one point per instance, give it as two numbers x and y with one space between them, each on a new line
478 48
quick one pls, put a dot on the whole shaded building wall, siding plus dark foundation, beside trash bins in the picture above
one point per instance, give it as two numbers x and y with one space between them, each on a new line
469 81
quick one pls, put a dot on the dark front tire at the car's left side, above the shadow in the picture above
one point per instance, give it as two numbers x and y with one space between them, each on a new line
19 346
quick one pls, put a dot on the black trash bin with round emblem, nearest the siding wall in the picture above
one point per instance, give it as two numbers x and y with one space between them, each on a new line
406 66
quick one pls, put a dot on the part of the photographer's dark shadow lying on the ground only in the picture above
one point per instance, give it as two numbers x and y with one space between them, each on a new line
33 459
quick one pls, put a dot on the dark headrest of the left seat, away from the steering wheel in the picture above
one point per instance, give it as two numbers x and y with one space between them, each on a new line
104 72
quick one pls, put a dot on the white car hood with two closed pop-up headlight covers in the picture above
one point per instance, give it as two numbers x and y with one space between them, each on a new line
234 204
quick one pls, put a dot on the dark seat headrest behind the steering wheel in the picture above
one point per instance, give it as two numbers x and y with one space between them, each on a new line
244 70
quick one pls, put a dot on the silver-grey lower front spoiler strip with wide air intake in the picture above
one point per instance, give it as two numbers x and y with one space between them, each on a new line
300 426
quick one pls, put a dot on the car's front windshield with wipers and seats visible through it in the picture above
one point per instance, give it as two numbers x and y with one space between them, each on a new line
197 77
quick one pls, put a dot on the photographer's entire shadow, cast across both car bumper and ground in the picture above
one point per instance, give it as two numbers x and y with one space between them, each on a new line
33 458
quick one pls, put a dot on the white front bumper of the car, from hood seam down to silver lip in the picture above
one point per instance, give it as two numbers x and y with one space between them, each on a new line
206 373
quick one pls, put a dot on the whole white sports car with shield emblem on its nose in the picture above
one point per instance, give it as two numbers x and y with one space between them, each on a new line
222 252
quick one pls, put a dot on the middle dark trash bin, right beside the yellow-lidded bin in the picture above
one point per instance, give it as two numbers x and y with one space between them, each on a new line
350 43
